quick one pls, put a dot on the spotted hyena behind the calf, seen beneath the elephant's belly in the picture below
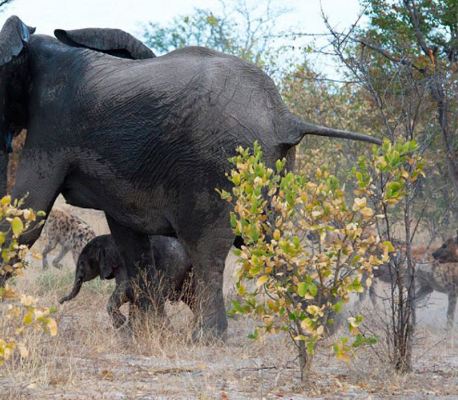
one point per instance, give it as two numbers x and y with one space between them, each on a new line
67 230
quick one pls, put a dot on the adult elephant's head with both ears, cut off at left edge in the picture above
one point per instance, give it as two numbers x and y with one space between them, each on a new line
15 77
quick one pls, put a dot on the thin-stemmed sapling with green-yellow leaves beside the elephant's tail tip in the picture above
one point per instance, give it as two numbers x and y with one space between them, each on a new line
389 178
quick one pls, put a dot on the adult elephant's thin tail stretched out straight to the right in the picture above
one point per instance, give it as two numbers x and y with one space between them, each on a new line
296 129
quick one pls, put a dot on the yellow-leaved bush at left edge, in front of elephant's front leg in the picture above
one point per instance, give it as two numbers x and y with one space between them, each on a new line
22 311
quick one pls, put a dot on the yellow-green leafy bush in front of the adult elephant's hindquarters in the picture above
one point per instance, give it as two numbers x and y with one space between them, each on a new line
306 247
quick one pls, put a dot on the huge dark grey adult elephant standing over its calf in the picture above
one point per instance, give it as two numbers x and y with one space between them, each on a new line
146 141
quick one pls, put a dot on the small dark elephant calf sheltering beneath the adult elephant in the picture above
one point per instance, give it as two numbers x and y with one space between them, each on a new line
100 257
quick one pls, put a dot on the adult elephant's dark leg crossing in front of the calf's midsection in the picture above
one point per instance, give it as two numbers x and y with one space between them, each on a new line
143 281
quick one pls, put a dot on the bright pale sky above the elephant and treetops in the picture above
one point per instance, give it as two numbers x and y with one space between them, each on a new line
131 15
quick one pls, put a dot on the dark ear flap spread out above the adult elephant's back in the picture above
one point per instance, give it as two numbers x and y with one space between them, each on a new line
110 41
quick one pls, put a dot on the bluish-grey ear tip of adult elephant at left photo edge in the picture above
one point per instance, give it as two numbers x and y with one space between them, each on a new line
13 36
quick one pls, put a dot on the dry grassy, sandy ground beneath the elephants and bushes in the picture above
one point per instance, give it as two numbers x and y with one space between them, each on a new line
90 360
